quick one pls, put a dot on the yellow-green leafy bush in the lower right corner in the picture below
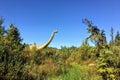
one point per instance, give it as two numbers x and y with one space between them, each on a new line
108 65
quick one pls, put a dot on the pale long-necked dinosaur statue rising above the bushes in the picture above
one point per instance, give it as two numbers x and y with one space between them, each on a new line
46 43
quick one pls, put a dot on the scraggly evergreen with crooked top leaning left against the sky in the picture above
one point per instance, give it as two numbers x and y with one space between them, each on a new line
96 35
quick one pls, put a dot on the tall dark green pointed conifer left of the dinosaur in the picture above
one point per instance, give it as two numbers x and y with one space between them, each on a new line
14 48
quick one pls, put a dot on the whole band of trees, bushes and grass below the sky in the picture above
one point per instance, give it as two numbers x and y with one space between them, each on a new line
99 62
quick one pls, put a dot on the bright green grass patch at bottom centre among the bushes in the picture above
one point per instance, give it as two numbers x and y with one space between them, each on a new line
76 72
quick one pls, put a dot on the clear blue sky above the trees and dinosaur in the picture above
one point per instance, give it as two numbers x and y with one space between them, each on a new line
36 19
